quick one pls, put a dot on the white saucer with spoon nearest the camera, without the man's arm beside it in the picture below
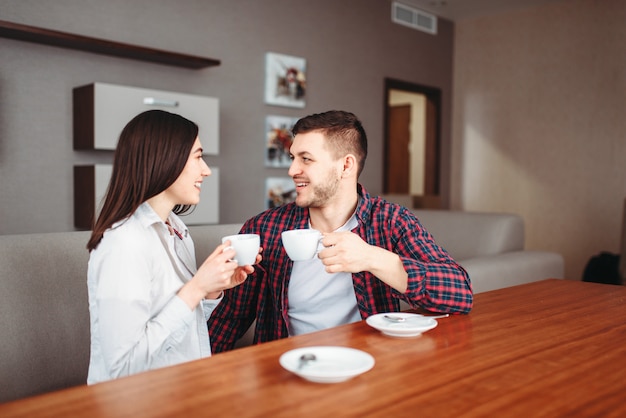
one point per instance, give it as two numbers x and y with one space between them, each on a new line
331 364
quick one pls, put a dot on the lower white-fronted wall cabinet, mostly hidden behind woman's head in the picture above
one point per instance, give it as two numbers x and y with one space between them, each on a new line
91 182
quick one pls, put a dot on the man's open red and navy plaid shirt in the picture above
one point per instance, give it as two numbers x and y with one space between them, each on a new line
435 281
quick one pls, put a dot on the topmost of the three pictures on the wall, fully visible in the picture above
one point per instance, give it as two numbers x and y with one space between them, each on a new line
285 80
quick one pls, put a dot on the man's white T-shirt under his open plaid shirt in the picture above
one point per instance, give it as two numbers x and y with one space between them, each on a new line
320 300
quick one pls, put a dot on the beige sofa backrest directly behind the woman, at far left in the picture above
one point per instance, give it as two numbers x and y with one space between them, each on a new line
44 312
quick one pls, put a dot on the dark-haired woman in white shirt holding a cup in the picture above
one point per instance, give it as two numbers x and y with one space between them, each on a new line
147 301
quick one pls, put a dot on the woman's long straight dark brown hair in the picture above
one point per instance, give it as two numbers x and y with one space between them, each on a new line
152 151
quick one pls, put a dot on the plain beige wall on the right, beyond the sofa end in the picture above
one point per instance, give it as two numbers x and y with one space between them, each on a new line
540 123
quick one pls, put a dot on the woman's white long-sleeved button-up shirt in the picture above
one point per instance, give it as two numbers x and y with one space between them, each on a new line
138 322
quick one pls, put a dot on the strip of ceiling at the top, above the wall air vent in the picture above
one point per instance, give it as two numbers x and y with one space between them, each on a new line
462 9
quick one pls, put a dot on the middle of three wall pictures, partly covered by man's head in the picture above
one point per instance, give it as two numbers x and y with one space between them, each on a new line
278 140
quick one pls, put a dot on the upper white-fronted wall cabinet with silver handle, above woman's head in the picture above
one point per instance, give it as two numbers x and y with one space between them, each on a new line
102 110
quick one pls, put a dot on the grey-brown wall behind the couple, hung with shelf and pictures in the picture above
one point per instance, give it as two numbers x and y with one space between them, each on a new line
350 47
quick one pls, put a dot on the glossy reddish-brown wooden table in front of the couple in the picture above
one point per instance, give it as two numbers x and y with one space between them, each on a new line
550 348
